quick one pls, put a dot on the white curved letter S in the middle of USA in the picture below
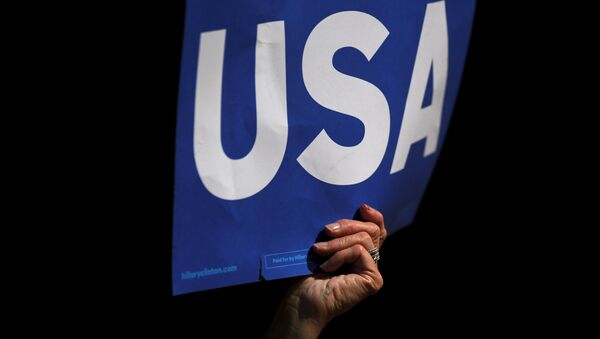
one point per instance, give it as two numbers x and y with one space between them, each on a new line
324 158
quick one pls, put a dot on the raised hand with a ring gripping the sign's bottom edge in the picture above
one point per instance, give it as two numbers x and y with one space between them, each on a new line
315 300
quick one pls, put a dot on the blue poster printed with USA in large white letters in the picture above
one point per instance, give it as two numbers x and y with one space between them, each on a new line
293 113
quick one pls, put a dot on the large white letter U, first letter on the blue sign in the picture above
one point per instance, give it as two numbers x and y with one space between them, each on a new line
234 179
